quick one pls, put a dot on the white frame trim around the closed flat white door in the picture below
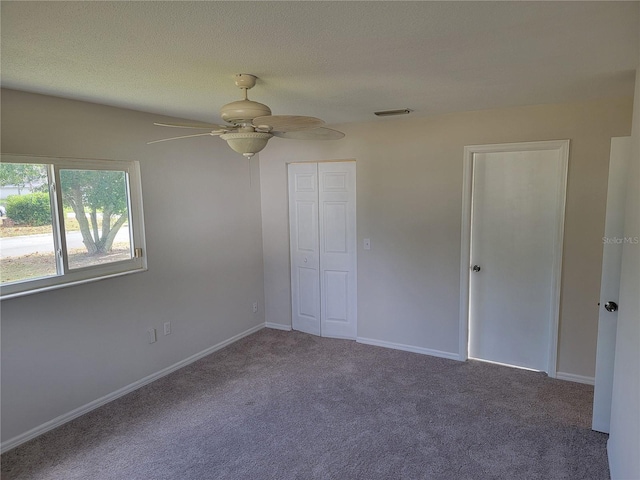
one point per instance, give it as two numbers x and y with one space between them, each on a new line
562 146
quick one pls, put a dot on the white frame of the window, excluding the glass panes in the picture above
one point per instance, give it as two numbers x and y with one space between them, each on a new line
66 277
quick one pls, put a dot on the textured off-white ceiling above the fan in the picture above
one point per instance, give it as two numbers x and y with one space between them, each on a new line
340 61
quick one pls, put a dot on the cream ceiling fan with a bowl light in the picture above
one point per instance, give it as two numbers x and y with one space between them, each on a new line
251 125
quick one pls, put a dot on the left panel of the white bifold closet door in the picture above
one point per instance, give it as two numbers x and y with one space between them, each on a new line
304 239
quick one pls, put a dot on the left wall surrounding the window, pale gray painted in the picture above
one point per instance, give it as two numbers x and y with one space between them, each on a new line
65 348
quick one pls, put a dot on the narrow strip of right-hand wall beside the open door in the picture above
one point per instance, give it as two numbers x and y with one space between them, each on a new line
624 439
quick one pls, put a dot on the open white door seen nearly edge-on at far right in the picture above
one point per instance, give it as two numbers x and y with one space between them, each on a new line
610 285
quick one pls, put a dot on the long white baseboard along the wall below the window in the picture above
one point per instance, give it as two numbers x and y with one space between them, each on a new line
67 417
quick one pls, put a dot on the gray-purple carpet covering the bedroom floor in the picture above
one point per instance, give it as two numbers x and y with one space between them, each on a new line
286 405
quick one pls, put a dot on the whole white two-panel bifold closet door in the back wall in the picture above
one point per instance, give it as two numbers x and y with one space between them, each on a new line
322 217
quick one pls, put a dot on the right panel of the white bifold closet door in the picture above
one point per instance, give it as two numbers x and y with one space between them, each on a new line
337 213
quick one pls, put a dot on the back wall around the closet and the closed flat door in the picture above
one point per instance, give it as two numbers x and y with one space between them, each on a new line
409 197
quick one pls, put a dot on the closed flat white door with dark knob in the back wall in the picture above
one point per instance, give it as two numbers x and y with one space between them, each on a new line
517 214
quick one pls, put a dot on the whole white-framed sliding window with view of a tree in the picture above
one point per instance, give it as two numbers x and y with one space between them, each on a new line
68 221
